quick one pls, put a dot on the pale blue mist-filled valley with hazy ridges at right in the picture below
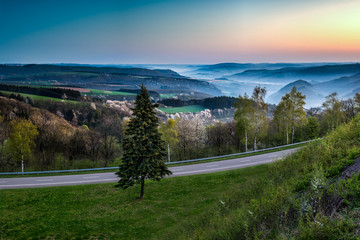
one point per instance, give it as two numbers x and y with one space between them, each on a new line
315 80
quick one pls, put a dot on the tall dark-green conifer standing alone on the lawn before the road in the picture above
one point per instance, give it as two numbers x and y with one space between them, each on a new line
144 151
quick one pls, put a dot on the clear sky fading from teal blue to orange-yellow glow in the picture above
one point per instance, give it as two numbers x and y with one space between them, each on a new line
179 31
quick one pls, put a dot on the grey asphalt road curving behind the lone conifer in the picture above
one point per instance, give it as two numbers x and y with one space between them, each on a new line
65 180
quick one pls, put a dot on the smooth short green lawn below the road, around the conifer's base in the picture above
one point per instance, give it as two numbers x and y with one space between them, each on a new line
172 207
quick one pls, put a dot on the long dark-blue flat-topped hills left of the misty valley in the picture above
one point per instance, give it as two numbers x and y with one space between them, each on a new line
104 78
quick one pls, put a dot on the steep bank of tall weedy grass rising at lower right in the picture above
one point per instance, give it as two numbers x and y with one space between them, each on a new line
301 197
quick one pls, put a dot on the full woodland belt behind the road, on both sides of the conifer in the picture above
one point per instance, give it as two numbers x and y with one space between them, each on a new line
89 134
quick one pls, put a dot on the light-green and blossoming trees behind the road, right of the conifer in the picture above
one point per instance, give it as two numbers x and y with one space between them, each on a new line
257 126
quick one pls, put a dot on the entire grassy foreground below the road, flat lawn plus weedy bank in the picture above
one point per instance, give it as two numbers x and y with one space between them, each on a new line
296 198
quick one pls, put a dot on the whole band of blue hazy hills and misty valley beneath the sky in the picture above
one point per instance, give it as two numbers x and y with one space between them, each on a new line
185 81
